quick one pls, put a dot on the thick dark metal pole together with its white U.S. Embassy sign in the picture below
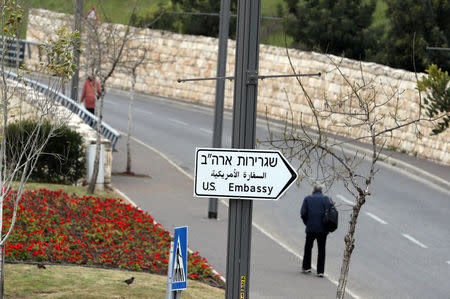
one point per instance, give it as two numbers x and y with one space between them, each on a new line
213 180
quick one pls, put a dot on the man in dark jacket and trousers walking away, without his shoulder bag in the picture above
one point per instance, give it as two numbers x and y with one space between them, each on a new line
313 209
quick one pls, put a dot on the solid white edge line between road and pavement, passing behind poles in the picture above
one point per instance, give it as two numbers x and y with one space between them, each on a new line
224 202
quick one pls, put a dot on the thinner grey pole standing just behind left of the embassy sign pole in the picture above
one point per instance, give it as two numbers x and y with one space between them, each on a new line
220 87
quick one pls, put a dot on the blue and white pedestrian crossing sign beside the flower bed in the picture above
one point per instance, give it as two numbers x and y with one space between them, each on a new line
179 259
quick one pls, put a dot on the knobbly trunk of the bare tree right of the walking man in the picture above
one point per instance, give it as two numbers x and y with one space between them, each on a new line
349 246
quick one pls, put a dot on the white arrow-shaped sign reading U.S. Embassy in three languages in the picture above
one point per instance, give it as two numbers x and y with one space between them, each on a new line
242 173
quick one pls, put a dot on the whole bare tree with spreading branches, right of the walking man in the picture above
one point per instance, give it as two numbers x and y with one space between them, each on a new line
321 158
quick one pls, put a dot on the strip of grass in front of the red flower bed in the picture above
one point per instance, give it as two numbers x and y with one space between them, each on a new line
27 281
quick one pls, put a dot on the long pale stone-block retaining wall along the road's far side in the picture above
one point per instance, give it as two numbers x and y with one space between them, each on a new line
173 56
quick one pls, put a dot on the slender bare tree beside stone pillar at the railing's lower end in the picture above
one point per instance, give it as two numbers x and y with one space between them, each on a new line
109 43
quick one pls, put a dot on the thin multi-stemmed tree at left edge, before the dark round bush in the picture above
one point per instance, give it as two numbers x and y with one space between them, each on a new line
16 167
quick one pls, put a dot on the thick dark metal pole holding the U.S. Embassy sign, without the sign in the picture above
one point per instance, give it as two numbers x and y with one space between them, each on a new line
244 123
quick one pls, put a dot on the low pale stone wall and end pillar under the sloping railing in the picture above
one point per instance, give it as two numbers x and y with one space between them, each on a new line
26 103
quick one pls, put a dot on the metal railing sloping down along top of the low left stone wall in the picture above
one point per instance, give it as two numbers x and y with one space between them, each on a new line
107 131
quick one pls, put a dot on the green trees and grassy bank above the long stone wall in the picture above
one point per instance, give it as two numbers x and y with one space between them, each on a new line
375 30
